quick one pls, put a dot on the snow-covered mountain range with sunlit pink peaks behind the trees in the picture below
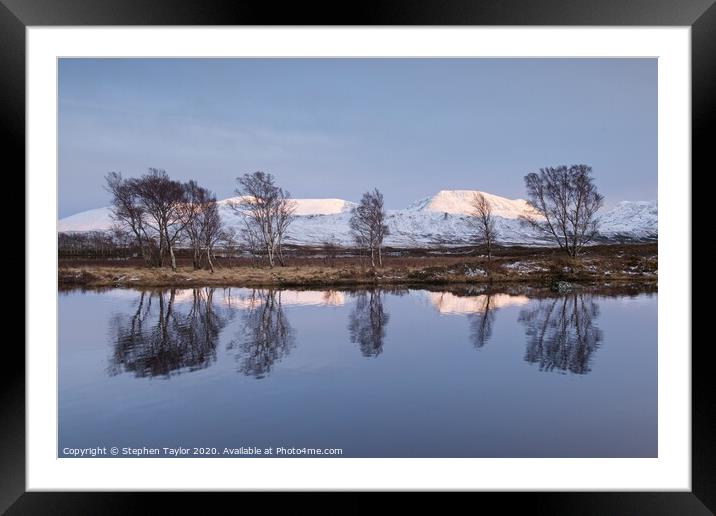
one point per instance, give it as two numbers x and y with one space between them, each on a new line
442 219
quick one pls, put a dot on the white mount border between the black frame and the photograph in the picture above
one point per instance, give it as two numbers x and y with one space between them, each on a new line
670 471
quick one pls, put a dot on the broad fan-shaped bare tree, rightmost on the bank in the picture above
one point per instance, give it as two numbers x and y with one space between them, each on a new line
565 202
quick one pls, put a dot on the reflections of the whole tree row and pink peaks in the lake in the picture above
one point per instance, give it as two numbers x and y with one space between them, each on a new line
178 330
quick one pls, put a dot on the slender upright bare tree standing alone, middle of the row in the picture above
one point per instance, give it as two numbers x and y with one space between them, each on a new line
368 225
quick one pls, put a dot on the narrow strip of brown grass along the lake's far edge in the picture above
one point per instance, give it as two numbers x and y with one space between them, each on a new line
540 272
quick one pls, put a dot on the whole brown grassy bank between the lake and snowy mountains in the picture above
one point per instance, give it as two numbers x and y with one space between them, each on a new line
635 264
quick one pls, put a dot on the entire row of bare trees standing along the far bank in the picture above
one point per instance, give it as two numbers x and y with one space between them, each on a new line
157 213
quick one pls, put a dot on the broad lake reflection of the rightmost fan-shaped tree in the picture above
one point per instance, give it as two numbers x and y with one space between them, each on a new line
561 334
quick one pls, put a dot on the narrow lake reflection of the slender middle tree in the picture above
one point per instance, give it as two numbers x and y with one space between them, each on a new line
367 322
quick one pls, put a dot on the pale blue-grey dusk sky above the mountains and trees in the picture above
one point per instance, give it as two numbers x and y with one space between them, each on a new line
336 128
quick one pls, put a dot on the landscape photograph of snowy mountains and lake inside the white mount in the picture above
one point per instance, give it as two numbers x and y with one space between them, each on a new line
334 258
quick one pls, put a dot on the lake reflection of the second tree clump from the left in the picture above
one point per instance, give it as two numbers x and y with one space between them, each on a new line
267 336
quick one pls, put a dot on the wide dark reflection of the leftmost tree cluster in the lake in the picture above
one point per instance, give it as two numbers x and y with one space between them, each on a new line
161 337
